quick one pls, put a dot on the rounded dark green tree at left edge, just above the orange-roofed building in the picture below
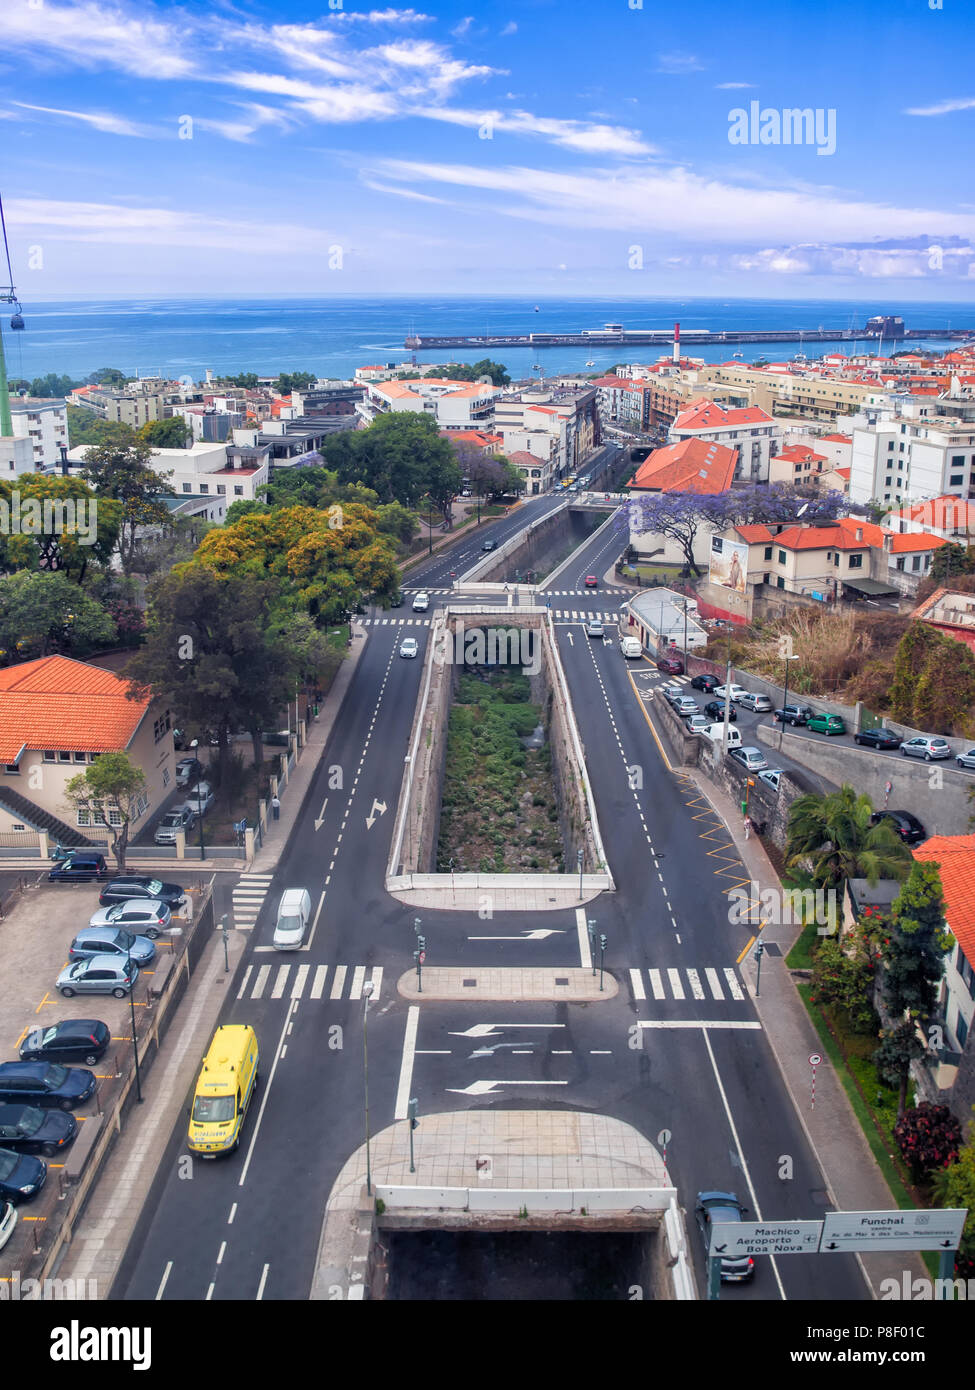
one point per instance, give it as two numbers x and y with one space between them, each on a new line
44 614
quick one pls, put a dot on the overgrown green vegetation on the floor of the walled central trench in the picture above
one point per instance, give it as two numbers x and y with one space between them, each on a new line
499 812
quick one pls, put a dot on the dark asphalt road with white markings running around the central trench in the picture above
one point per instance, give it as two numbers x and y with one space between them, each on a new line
679 1049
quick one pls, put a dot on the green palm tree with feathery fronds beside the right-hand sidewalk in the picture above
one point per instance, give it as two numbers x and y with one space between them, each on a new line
834 840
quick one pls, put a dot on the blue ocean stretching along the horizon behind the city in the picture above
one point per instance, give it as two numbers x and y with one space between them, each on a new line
333 337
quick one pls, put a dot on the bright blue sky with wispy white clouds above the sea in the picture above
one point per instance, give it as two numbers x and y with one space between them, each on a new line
542 147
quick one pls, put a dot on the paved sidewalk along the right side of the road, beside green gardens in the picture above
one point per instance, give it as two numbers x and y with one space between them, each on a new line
853 1179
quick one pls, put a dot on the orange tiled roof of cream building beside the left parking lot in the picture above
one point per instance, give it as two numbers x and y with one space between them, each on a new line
56 703
